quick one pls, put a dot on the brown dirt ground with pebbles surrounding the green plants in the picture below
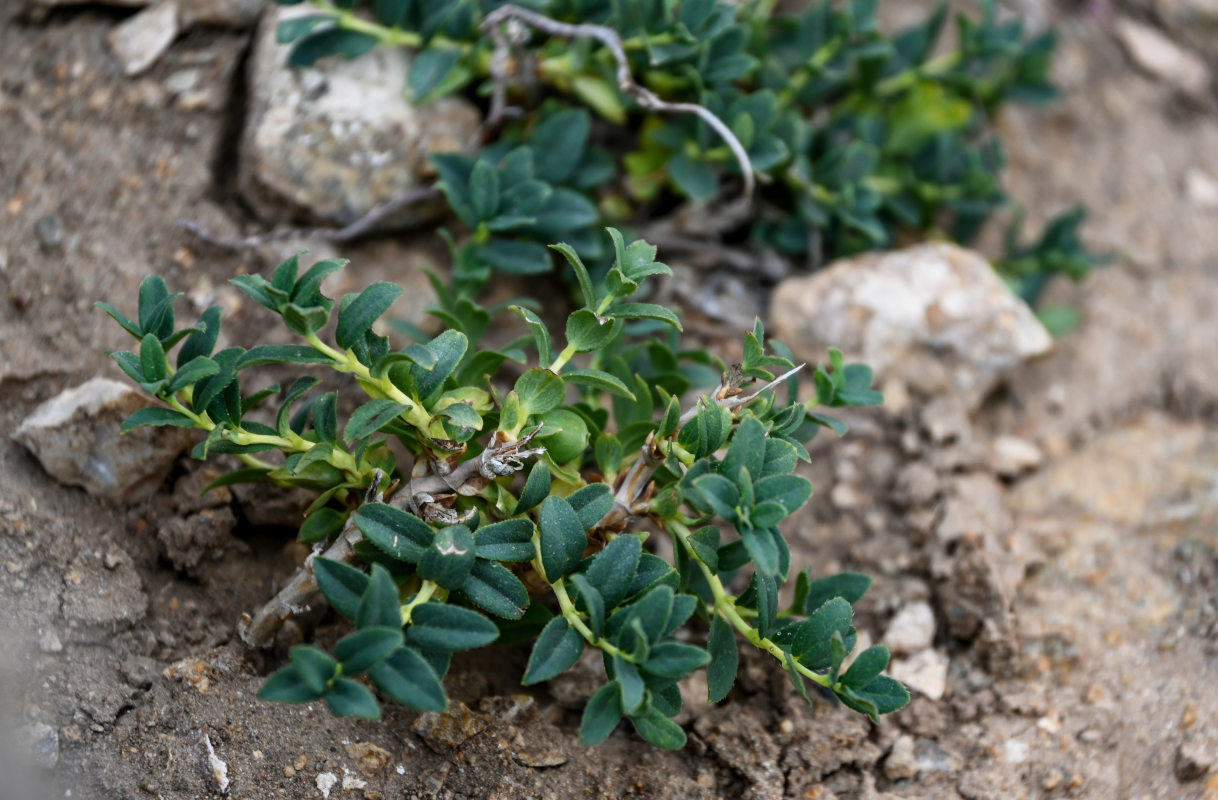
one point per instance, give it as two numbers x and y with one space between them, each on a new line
1076 605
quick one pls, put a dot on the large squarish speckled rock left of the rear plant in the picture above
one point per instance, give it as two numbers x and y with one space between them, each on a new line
334 141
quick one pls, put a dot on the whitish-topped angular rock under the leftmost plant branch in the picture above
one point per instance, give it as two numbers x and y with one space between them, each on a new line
77 438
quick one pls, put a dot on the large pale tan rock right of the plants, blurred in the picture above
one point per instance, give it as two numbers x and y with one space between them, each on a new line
936 317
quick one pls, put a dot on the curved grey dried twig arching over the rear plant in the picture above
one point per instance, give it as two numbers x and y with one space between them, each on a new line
645 97
